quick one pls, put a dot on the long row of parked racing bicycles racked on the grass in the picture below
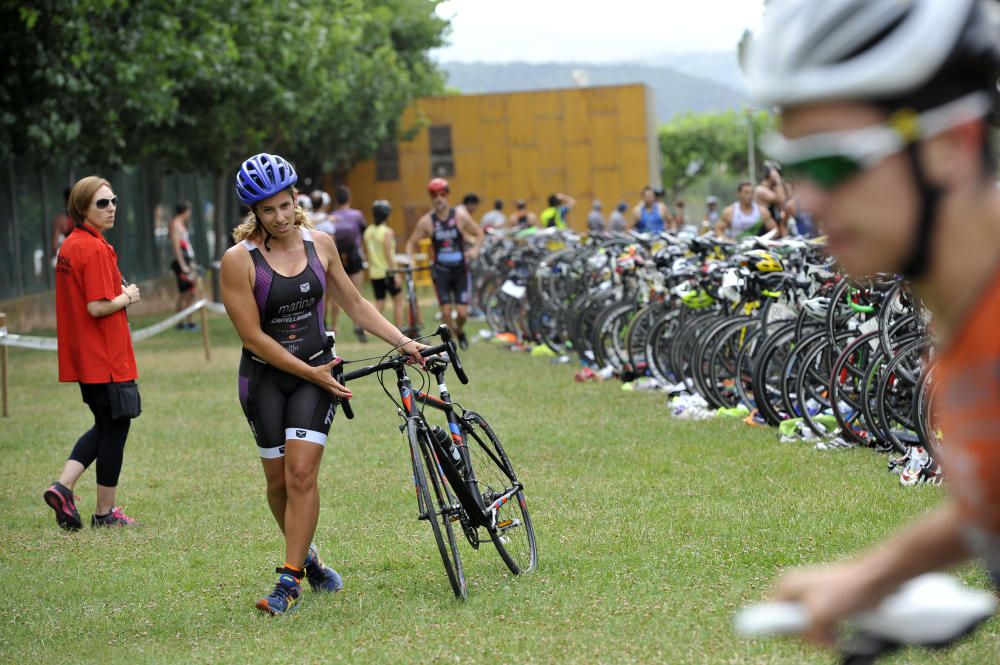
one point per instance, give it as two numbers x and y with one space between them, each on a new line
769 325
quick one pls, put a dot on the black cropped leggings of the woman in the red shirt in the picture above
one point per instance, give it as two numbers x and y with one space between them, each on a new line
105 441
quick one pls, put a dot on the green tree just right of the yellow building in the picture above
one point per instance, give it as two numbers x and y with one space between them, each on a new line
696 144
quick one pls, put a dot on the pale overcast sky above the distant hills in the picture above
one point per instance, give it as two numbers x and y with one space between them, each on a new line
592 30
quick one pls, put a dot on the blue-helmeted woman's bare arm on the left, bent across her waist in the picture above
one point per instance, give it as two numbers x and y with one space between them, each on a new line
237 295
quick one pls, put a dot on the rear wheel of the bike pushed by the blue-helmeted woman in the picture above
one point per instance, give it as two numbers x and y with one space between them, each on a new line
508 522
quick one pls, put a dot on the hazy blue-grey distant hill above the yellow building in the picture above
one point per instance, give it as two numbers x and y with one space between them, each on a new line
675 92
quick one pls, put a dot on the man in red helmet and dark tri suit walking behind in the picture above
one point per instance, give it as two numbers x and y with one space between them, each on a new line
456 239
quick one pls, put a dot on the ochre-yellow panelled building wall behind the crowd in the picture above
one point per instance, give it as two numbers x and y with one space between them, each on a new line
585 142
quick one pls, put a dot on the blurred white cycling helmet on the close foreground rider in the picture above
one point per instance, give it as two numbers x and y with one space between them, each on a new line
809 51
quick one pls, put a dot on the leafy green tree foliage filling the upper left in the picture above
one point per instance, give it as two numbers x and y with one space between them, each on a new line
201 84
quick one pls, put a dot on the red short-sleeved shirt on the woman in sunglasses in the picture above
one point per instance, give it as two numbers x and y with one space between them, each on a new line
91 349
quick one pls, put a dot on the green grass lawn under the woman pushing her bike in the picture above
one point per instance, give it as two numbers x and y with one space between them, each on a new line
651 532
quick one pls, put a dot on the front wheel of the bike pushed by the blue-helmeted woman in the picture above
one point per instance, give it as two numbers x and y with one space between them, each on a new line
436 506
